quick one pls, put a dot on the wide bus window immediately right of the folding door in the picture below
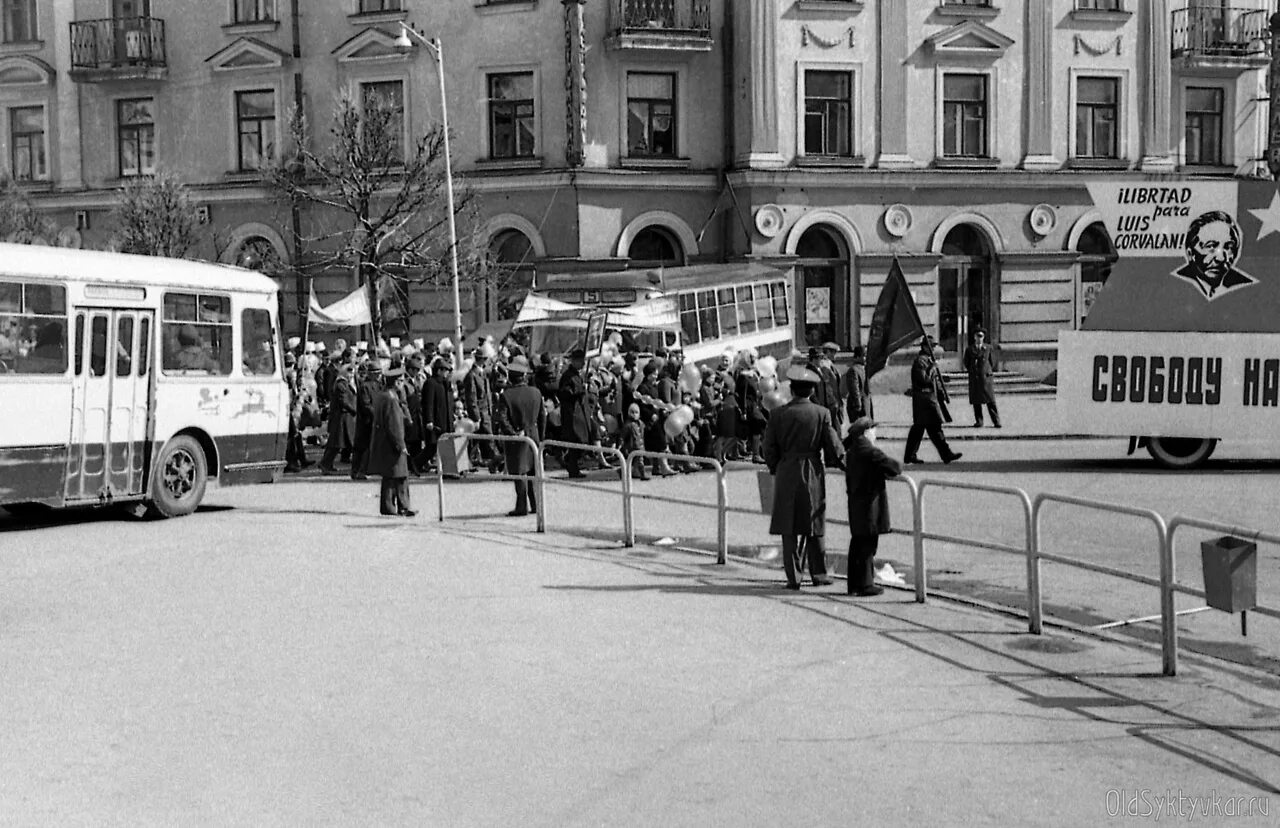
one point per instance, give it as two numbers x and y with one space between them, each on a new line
198 335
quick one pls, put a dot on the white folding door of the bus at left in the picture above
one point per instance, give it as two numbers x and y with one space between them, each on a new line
111 420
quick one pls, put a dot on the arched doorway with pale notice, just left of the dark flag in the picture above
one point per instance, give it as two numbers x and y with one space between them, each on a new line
822 296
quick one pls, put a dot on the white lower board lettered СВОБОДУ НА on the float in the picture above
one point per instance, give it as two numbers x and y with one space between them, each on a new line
1171 385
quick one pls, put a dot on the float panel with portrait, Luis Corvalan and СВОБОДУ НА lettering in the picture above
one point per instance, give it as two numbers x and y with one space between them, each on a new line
1185 338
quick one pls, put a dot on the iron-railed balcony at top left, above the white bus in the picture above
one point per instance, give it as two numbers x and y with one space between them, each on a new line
118 49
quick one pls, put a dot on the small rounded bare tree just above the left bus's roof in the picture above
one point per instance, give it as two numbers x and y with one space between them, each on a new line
156 218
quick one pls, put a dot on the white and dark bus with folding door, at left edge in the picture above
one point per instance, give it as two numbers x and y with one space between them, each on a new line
135 381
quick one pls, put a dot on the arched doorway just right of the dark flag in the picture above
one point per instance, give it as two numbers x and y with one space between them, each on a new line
968 296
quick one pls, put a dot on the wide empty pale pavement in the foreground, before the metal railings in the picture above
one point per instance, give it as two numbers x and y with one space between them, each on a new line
286 657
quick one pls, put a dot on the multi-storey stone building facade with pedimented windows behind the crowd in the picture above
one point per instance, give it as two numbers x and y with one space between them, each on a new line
825 138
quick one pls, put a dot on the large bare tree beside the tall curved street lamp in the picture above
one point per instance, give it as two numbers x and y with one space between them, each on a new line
378 207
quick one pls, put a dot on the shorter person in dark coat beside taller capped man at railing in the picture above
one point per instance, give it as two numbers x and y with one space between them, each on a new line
866 470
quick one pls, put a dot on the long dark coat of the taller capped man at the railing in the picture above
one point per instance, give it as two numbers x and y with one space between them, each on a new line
797 441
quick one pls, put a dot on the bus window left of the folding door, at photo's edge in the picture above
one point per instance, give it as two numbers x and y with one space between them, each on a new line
33 328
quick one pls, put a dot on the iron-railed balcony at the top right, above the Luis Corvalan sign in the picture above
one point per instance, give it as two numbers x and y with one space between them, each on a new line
1222 38
